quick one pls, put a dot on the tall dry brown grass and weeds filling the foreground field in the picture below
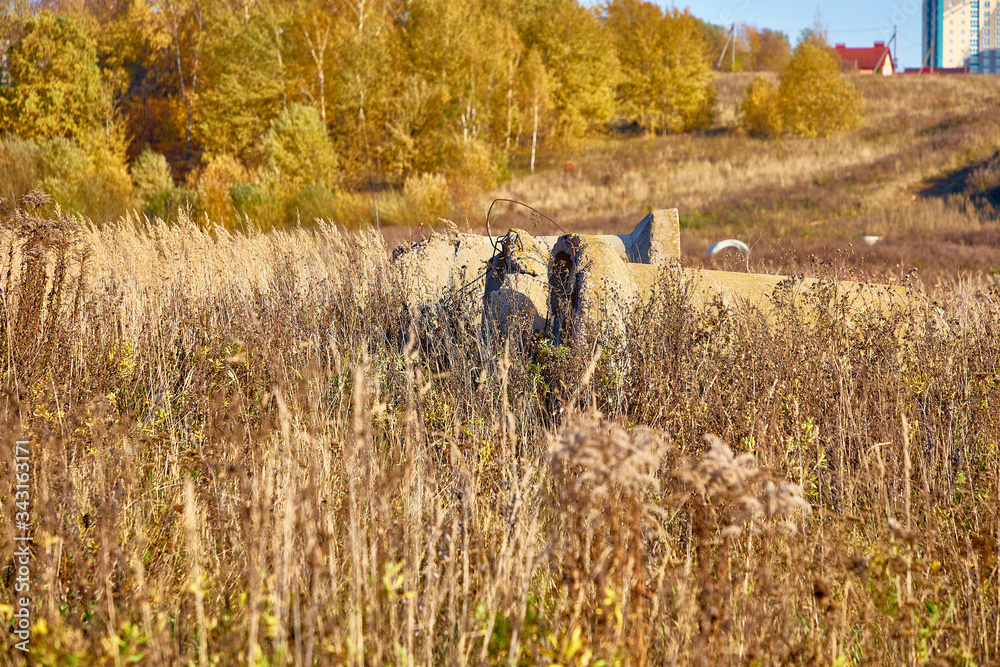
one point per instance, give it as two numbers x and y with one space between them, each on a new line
247 449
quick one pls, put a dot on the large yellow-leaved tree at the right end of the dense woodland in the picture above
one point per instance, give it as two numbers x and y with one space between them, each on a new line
664 75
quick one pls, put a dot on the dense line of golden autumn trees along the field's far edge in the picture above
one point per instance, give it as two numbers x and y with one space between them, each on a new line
274 108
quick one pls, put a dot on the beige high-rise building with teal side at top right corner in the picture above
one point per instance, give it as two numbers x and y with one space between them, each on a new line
962 35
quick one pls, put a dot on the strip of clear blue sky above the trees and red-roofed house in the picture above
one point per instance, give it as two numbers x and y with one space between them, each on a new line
853 22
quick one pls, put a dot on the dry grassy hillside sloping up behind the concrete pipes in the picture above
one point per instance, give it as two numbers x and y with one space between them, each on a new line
922 172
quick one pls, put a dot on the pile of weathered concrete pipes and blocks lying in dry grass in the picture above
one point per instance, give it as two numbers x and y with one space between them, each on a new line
577 285
